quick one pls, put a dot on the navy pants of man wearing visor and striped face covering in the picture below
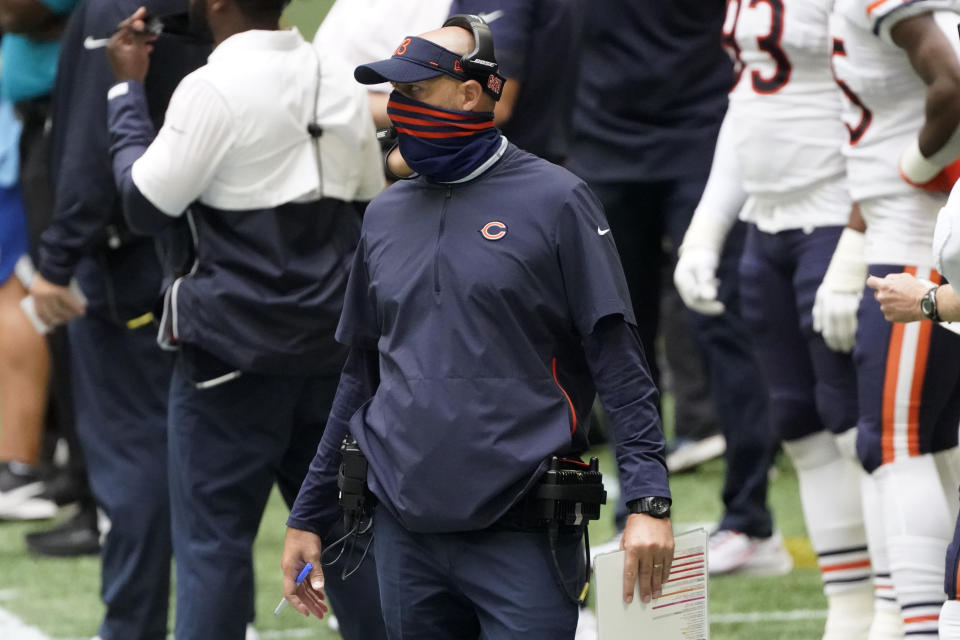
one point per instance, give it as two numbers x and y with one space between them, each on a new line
497 583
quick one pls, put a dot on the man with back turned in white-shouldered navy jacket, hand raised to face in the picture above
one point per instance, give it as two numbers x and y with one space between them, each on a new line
273 152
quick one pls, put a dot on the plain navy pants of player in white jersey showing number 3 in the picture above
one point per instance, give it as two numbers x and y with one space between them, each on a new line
812 387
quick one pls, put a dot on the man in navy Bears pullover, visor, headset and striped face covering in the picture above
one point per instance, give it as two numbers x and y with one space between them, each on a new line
485 301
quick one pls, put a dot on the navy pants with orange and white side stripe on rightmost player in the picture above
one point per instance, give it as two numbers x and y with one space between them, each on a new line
908 381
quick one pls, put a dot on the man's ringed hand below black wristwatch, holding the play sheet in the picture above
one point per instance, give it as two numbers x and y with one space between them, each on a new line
648 543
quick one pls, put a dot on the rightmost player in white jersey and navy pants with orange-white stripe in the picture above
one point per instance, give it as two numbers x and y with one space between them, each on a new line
897 65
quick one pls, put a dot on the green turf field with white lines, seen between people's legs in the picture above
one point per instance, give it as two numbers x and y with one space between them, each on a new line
60 597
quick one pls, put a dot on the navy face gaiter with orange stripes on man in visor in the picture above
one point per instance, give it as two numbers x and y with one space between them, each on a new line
442 145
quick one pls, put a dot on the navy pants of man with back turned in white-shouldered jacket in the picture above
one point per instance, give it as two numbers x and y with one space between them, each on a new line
229 443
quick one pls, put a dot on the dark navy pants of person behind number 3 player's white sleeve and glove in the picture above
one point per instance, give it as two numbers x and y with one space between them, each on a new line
645 217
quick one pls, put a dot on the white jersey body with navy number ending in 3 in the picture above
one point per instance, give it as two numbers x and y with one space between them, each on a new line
784 114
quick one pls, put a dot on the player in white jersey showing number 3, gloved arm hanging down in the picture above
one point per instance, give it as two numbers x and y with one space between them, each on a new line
779 165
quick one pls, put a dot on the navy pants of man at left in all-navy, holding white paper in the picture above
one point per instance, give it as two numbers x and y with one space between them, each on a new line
120 385
